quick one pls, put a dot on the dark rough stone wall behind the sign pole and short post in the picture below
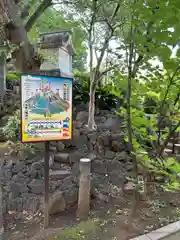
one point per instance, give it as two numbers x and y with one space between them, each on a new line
23 180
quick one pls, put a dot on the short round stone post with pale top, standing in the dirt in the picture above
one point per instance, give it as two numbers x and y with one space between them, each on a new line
84 188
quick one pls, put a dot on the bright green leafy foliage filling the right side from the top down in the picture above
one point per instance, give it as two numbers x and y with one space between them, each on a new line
150 89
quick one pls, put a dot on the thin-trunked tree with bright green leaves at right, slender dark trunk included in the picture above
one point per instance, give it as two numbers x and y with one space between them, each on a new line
149 35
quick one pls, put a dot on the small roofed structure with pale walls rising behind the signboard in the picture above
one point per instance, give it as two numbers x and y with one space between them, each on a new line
58 50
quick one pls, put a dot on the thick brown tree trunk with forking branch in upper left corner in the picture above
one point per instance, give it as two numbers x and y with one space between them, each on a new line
14 30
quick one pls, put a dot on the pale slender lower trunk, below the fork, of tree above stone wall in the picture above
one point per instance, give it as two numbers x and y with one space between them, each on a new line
91 121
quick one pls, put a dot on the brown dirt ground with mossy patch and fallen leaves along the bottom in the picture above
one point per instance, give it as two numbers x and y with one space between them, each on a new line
107 221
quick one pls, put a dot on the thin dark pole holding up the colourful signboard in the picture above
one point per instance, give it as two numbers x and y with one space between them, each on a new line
46 185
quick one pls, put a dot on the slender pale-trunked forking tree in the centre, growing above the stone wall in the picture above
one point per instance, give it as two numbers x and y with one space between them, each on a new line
99 19
